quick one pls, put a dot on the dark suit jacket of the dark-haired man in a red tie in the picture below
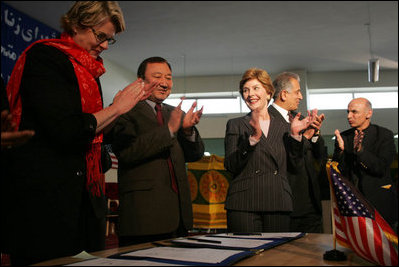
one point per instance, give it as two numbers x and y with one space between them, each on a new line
148 205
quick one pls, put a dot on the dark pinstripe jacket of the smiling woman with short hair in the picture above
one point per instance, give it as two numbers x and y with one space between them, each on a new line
259 172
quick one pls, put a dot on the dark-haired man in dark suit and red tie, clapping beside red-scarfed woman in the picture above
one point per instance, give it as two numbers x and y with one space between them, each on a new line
152 143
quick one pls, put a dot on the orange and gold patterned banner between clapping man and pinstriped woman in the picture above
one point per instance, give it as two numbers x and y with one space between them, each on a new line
209 182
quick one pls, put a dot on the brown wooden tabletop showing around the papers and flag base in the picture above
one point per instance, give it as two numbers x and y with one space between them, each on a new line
305 251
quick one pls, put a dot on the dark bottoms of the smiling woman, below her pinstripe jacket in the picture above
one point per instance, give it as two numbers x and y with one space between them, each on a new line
245 221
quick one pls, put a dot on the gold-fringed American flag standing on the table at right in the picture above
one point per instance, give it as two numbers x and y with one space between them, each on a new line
358 225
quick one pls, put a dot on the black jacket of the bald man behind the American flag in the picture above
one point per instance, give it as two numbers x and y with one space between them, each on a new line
371 167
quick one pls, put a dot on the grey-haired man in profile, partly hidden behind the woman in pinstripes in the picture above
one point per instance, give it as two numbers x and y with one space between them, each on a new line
308 183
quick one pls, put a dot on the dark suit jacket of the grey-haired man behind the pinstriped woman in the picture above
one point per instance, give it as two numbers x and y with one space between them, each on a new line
306 183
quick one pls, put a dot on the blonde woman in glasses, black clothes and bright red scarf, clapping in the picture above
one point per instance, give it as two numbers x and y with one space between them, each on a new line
53 202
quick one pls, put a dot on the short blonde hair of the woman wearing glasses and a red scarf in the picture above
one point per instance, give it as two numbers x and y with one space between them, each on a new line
86 14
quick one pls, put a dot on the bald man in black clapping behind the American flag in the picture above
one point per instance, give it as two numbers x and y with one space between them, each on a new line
365 153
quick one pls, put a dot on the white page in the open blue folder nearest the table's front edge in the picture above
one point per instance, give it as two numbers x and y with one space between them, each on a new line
199 255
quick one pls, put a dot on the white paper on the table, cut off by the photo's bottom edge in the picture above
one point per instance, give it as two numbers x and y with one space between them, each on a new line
119 262
